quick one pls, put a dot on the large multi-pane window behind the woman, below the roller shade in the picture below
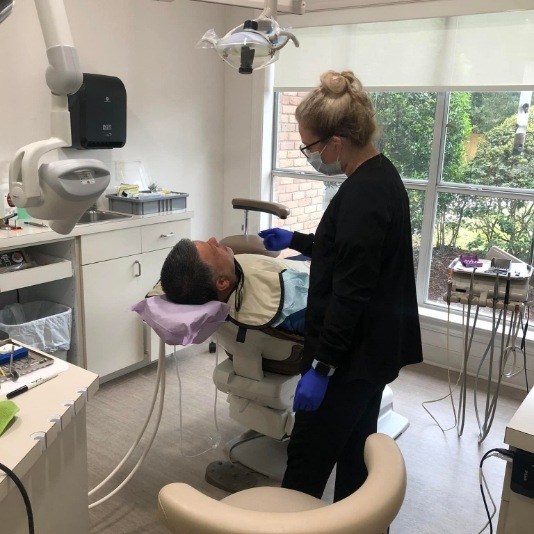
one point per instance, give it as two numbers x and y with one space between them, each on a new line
467 161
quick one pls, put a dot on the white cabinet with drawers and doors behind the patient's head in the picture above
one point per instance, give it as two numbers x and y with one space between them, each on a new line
118 269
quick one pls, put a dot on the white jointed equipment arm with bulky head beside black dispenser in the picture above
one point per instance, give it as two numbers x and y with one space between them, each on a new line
62 190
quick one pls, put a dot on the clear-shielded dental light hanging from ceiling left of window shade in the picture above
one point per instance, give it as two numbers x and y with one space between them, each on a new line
252 45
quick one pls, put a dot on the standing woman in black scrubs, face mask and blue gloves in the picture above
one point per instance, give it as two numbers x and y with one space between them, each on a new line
362 322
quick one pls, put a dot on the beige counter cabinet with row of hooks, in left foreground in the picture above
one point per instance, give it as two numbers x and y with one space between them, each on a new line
47 449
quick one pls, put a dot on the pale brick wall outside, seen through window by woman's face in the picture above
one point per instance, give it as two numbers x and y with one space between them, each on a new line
303 197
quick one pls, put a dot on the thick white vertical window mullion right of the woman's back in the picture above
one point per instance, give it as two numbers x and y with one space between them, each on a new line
429 213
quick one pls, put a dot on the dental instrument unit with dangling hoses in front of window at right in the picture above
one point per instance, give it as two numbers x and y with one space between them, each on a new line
501 284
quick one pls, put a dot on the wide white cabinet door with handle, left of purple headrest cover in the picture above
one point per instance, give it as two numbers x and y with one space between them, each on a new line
113 333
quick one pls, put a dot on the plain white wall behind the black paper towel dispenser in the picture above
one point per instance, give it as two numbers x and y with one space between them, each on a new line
175 91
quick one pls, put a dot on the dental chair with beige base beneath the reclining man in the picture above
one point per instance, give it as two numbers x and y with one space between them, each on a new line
260 376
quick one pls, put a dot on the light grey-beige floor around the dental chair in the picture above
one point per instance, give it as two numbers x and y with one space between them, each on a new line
443 495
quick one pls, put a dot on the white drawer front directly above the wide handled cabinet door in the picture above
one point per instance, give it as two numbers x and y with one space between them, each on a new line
108 245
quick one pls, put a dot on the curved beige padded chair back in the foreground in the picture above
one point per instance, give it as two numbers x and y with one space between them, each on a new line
272 510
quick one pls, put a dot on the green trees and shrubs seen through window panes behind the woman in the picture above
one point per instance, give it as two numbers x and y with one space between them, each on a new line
406 131
